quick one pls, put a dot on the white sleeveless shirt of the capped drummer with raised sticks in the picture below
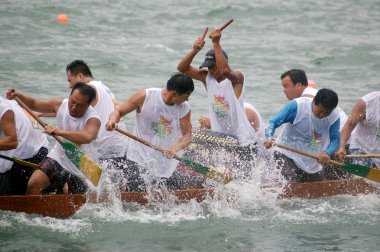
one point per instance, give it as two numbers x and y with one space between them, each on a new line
226 111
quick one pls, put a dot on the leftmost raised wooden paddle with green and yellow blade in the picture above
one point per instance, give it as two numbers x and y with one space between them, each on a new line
84 163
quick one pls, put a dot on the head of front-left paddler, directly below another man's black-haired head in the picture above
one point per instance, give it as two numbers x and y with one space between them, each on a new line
80 99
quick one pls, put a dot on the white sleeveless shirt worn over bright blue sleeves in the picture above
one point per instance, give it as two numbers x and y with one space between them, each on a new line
307 133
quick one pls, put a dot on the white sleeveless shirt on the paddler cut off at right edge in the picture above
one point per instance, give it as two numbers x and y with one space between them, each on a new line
366 135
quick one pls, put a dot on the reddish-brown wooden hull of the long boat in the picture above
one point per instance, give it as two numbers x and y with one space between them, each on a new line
64 206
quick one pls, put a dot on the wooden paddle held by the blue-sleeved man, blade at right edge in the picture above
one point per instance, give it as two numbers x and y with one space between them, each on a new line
359 170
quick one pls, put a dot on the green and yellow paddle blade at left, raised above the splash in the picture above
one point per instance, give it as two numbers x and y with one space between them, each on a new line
83 162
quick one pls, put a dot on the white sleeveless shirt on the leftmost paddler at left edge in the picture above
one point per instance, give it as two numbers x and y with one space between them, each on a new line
30 139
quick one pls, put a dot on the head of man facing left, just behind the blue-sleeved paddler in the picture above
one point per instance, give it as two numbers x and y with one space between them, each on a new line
294 82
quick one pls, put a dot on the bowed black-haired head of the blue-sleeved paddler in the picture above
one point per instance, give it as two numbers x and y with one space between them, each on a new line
325 101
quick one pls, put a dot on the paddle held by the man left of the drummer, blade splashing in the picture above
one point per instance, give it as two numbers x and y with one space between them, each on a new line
209 172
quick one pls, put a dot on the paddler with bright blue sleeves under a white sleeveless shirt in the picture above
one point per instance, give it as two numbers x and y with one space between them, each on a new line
311 126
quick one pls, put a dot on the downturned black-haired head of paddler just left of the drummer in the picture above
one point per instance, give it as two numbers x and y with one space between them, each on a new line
181 87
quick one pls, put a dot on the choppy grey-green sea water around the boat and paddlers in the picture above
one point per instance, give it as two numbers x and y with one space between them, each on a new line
131 45
